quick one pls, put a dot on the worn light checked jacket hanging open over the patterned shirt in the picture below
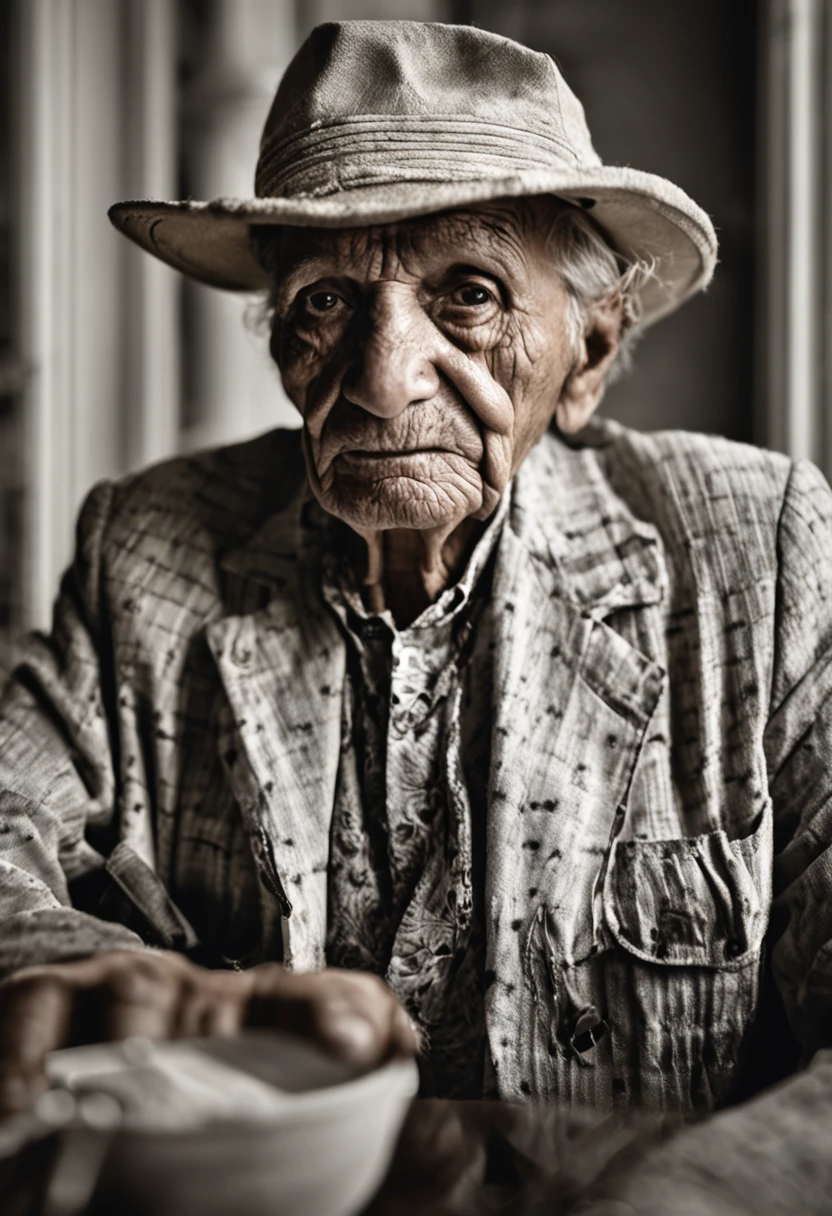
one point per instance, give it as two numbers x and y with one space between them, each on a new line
660 802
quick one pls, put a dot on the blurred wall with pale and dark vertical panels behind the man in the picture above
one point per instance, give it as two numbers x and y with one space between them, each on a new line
109 361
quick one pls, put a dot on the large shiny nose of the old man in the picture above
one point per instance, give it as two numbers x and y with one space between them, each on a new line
392 367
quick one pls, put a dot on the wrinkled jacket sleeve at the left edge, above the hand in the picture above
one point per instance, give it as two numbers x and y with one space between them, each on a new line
57 770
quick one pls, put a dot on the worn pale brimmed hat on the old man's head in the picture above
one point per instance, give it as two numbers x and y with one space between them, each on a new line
380 121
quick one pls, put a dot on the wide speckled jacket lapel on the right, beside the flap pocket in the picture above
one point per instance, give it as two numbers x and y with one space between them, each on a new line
572 703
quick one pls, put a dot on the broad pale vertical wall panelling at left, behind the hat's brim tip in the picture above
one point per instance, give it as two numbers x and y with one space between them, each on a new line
97 116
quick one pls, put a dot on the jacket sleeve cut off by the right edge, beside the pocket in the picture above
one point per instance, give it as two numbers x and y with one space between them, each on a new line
799 746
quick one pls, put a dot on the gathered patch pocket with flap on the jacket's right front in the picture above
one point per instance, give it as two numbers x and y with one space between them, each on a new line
688 917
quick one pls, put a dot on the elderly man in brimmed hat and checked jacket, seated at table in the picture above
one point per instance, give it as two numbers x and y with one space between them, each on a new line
508 720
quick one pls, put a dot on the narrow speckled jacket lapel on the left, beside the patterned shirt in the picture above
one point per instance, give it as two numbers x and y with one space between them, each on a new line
283 668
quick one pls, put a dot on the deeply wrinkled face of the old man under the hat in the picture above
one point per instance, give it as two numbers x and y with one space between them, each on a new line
426 358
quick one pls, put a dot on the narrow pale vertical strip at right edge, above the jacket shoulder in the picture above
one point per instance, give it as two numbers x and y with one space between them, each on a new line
796 187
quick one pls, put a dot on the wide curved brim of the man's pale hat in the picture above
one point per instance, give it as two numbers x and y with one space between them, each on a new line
643 215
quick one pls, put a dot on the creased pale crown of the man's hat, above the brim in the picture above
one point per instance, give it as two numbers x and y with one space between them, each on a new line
406 100
